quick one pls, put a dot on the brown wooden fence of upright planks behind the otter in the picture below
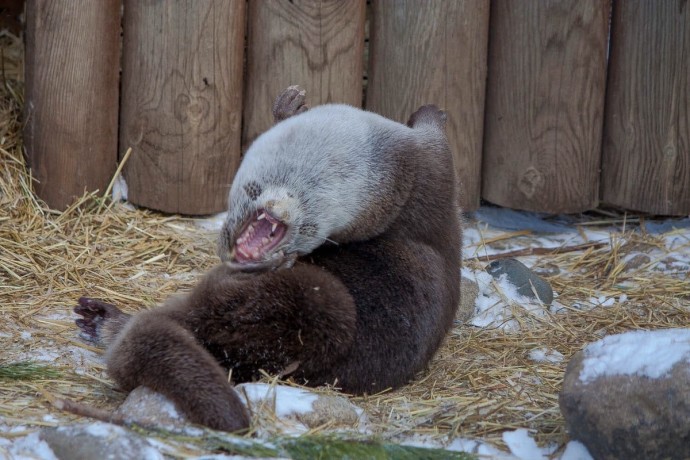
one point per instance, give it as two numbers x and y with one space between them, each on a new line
583 100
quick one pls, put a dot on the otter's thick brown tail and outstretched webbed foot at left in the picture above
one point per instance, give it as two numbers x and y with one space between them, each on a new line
153 349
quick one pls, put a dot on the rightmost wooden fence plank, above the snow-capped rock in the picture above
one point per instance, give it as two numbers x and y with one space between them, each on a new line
646 157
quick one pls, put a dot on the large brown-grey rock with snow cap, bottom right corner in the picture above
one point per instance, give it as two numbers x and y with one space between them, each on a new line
642 412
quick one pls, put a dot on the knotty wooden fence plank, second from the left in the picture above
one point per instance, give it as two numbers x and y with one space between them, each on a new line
182 102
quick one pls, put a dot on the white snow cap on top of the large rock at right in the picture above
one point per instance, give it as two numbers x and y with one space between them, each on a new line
647 353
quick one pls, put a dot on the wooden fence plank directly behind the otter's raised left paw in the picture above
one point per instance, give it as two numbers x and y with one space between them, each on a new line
317 44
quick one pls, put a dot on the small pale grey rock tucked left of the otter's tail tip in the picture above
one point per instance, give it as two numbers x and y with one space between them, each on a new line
148 408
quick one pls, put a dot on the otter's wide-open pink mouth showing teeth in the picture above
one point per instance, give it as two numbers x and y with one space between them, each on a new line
260 235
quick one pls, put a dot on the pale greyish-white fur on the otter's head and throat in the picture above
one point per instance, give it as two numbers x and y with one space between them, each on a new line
324 158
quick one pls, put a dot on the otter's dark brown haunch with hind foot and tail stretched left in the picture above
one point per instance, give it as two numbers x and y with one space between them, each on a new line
302 319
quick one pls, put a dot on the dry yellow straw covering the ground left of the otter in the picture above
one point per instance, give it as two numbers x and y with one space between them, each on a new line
48 259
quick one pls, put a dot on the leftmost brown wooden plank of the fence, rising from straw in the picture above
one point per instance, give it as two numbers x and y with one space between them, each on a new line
72 68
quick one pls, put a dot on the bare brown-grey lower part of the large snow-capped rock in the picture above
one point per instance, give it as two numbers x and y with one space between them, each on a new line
629 416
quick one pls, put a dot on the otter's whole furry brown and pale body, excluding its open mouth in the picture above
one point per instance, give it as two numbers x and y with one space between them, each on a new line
372 288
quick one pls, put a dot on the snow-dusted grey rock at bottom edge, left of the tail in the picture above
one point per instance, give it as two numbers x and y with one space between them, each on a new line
97 440
